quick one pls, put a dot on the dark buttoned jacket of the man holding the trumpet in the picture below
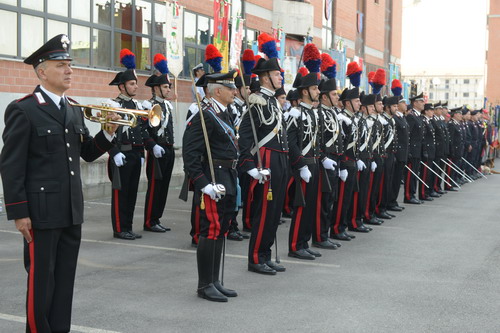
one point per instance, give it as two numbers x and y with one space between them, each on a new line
40 161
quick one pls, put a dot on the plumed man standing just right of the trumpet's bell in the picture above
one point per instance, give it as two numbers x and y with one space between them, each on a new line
159 142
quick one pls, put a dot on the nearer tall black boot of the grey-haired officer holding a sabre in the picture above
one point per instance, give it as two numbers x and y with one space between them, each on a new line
205 256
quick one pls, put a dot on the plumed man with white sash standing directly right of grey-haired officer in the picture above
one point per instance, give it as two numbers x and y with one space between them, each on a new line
264 155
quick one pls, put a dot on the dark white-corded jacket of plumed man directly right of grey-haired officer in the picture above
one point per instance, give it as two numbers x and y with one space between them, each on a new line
268 118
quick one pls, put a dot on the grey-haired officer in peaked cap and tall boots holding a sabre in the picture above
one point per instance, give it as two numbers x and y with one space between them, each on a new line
215 185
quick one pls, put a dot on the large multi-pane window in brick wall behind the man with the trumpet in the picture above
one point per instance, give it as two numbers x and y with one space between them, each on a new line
98 29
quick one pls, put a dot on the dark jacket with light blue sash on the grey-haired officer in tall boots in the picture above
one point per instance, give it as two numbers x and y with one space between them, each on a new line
223 146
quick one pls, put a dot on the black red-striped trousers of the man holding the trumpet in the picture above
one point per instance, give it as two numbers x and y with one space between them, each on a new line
50 260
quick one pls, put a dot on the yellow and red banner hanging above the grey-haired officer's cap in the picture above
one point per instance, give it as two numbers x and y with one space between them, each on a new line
221 30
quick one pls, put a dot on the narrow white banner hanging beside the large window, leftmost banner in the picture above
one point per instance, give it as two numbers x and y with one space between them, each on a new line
174 38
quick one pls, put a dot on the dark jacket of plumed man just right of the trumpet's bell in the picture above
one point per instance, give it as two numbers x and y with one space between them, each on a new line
162 134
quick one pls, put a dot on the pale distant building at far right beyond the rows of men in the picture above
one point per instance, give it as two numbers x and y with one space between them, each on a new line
456 89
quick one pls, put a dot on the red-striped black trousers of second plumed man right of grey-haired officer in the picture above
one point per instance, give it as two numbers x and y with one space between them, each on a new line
304 216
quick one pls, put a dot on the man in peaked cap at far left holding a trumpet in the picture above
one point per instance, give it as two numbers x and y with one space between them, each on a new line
44 138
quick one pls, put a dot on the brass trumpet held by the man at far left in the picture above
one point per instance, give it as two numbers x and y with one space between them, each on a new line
153 115
